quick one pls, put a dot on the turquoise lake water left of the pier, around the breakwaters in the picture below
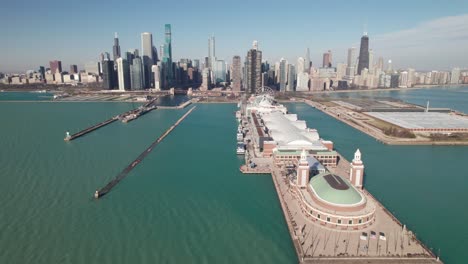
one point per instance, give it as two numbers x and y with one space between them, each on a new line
186 202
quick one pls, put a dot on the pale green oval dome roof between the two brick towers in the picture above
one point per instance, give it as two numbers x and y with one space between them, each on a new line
333 189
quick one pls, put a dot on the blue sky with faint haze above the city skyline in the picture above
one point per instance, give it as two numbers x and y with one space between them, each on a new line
425 35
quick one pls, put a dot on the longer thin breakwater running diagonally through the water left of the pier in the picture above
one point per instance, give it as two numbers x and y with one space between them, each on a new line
103 191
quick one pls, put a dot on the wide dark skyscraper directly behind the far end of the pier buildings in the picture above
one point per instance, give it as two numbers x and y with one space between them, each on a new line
254 68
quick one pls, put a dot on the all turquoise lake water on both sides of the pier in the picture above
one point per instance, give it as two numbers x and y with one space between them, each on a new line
187 201
